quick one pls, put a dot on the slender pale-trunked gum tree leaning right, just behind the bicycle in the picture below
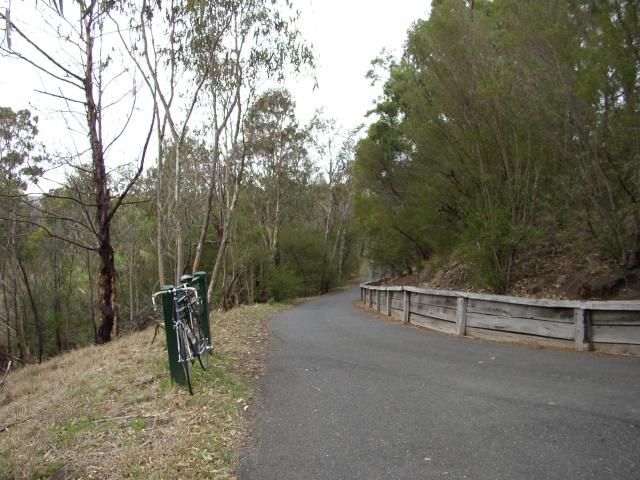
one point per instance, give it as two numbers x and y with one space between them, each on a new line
262 43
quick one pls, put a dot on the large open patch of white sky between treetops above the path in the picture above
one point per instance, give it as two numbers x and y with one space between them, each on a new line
346 36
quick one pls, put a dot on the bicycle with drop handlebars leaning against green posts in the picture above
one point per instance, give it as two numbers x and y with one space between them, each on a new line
191 342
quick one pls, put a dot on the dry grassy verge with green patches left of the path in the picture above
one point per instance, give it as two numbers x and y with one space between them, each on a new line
111 411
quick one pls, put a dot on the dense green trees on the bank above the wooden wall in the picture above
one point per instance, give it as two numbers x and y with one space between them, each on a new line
504 119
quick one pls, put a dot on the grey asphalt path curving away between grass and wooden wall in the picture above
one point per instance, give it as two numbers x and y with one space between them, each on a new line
350 396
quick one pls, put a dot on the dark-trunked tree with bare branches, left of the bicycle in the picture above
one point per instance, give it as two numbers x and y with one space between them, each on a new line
84 85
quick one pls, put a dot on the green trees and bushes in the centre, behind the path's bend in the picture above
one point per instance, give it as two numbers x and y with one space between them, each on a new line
293 233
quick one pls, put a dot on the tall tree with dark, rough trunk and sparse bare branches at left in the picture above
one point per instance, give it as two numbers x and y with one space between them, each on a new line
79 68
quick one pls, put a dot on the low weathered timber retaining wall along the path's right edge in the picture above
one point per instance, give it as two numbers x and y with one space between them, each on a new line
610 326
